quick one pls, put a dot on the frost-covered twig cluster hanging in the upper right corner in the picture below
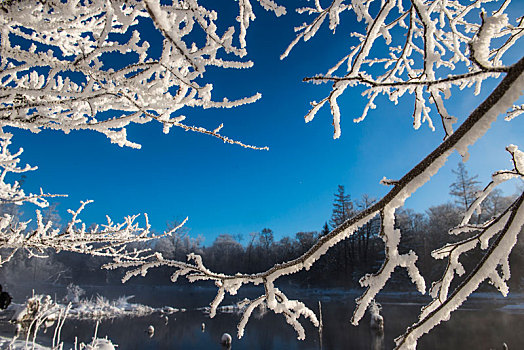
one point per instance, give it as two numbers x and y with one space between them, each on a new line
433 46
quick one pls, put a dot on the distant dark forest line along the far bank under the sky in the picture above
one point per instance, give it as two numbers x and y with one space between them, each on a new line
342 266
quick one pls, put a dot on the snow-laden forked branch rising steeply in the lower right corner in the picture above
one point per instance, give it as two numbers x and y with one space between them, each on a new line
501 230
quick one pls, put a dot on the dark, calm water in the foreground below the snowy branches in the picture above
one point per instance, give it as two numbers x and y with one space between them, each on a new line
490 326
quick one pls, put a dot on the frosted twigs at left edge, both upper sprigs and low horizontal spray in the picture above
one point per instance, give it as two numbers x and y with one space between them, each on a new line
109 240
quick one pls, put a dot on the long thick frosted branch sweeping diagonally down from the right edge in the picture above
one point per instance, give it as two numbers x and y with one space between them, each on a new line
500 100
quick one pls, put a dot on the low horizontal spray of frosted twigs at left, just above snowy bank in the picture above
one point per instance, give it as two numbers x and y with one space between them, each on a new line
107 240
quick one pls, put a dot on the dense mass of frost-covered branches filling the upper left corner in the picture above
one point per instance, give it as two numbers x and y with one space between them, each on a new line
96 65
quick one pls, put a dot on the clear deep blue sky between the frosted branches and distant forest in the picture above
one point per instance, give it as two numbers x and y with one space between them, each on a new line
224 188
